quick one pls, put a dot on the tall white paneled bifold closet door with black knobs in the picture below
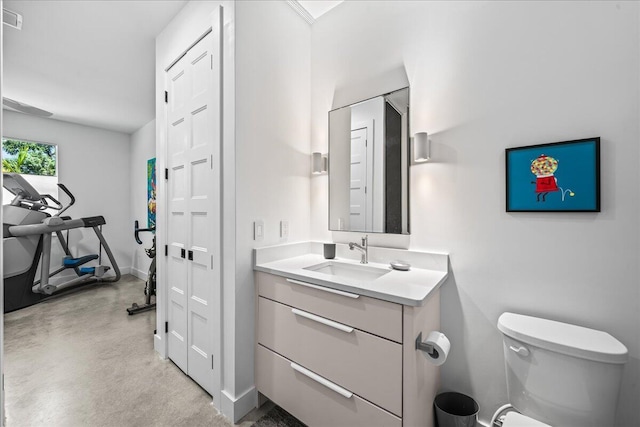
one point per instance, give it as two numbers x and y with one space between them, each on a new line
193 232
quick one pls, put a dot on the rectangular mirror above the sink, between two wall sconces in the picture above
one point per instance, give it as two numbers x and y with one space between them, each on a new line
369 164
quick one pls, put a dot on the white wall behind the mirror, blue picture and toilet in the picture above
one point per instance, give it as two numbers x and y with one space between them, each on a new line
484 77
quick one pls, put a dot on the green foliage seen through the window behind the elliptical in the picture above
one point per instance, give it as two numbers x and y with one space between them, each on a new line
31 158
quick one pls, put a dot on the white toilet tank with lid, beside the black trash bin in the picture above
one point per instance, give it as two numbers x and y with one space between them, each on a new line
561 374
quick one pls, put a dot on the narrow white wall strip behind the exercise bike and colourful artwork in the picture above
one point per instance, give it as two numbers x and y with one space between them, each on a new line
143 148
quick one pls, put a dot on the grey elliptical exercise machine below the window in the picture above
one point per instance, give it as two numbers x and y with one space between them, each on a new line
28 228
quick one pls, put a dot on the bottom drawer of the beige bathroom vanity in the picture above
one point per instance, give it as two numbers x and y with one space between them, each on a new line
312 402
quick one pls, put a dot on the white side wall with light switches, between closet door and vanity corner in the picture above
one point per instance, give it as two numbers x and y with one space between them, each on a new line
273 161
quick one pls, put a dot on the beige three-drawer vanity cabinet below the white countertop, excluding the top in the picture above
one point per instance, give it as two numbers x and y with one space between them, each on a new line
334 358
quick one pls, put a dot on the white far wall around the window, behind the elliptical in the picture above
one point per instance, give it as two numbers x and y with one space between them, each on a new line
94 165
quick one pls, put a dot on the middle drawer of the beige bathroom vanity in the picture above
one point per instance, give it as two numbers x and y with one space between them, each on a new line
365 364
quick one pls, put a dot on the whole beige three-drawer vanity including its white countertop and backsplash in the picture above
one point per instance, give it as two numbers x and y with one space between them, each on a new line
336 339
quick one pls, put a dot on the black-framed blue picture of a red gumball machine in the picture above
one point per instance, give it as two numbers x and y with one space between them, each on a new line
556 177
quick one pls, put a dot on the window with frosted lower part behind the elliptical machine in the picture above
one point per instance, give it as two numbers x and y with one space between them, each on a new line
37 162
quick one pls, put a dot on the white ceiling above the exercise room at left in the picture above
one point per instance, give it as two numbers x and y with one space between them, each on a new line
87 62
